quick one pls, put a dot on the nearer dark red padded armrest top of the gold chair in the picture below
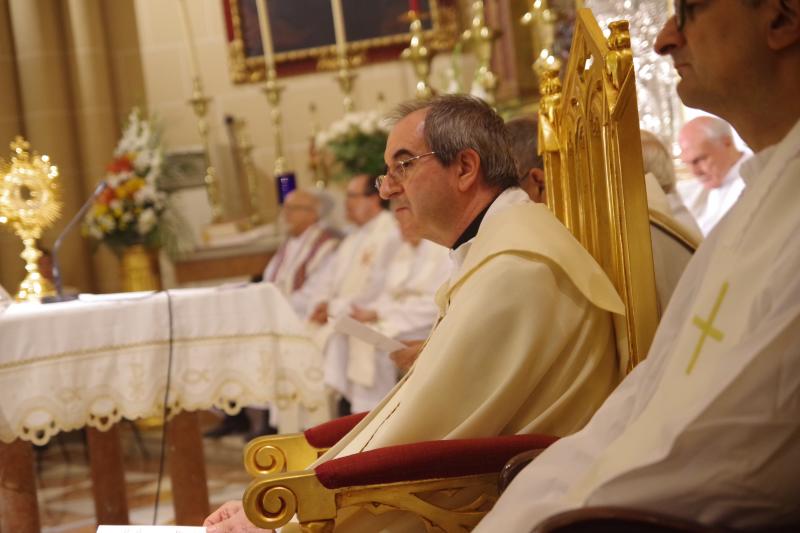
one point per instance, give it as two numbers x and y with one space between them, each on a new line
427 460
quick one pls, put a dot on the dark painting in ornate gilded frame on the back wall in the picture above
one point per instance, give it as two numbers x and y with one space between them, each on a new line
303 35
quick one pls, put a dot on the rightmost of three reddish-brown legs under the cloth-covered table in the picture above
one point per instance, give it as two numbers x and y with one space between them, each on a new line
187 470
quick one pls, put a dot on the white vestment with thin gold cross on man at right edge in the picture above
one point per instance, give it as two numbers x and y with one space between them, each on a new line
708 426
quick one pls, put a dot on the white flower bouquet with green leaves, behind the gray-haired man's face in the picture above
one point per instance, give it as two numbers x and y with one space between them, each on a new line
356 142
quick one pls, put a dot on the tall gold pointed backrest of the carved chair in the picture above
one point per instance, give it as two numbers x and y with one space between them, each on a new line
589 139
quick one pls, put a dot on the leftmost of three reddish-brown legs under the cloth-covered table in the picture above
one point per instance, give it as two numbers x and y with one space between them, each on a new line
19 511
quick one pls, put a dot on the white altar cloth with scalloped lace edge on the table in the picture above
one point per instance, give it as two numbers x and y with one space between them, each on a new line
92 362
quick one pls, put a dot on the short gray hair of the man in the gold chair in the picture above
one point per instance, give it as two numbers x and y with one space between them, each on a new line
457 122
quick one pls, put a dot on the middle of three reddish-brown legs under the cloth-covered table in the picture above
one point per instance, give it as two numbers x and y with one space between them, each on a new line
108 476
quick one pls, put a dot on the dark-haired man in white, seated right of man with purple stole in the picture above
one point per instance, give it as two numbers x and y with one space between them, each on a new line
356 276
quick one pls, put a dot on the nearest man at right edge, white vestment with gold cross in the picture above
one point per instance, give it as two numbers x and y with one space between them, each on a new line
707 427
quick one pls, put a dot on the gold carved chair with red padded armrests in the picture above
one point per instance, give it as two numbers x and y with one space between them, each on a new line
598 191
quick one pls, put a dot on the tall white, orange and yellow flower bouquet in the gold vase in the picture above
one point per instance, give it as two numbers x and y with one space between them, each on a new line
128 211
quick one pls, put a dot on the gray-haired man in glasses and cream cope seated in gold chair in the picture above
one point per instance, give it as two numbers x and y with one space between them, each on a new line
524 342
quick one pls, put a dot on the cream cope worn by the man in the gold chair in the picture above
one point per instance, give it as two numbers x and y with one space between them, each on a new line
524 344
